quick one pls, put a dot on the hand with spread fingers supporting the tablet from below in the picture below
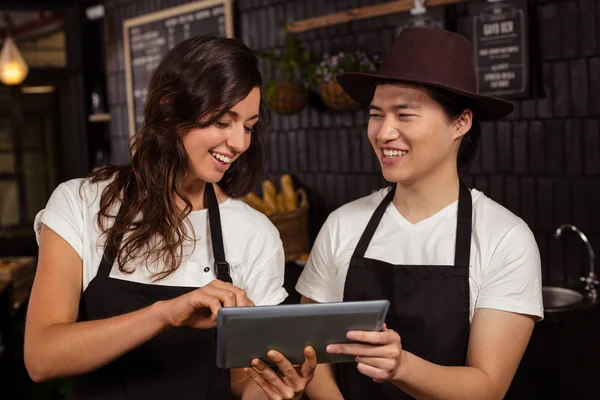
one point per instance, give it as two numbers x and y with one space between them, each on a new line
291 380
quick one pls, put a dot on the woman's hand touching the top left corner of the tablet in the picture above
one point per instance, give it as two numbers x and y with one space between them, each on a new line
199 308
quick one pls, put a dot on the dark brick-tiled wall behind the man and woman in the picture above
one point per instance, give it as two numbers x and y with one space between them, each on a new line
542 162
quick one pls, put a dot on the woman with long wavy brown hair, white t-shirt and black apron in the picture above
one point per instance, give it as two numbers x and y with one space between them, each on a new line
136 261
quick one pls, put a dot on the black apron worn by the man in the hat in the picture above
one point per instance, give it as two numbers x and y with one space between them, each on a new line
429 304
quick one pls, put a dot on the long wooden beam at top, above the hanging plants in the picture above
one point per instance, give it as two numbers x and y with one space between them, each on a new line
391 7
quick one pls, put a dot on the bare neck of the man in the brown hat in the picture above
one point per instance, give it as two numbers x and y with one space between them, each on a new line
417 201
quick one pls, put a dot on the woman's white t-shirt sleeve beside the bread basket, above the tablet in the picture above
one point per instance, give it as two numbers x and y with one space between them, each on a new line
264 285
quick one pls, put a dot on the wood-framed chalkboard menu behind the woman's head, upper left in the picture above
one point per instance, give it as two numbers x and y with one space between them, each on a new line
148 38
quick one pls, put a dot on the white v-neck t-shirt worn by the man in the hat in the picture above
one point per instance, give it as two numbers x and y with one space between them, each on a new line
505 267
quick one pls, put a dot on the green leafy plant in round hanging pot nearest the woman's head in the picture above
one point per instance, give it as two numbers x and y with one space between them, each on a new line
288 94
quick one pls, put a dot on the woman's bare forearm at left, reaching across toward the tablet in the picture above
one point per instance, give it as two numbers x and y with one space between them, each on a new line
67 349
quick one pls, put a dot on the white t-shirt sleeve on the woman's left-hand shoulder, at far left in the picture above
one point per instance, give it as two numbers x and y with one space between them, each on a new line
64 215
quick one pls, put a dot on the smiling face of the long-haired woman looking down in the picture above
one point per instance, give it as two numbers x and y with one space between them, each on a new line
211 150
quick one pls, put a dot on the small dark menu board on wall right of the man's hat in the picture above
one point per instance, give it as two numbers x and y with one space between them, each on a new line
501 44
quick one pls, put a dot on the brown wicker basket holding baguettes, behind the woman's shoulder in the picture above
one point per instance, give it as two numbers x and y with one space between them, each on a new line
293 229
